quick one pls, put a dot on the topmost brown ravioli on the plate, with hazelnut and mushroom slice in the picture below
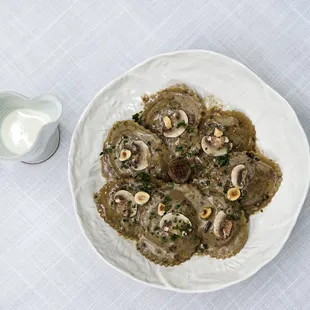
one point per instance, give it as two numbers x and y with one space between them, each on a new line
174 114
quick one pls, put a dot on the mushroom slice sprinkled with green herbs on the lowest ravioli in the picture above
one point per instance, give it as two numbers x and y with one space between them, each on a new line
177 224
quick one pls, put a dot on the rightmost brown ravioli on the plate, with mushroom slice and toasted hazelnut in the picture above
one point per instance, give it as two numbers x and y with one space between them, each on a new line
248 178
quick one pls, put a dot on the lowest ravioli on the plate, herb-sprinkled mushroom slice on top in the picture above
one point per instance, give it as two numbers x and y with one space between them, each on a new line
168 233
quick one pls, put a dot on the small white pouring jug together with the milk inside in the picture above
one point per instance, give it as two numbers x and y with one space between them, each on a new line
28 127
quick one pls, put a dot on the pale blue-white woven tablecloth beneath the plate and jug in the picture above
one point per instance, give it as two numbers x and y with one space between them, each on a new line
72 49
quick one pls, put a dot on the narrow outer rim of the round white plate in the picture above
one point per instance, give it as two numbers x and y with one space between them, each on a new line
298 208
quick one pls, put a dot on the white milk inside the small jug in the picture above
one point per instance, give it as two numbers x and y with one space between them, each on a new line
20 129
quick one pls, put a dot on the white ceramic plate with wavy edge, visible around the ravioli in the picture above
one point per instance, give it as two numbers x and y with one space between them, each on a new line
279 134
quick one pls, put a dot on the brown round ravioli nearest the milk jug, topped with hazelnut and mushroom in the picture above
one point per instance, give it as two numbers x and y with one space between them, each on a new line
131 149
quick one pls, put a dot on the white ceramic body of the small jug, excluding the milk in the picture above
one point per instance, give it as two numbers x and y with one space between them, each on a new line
47 138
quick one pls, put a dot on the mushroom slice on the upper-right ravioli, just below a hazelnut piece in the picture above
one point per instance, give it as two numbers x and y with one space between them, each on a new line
215 146
